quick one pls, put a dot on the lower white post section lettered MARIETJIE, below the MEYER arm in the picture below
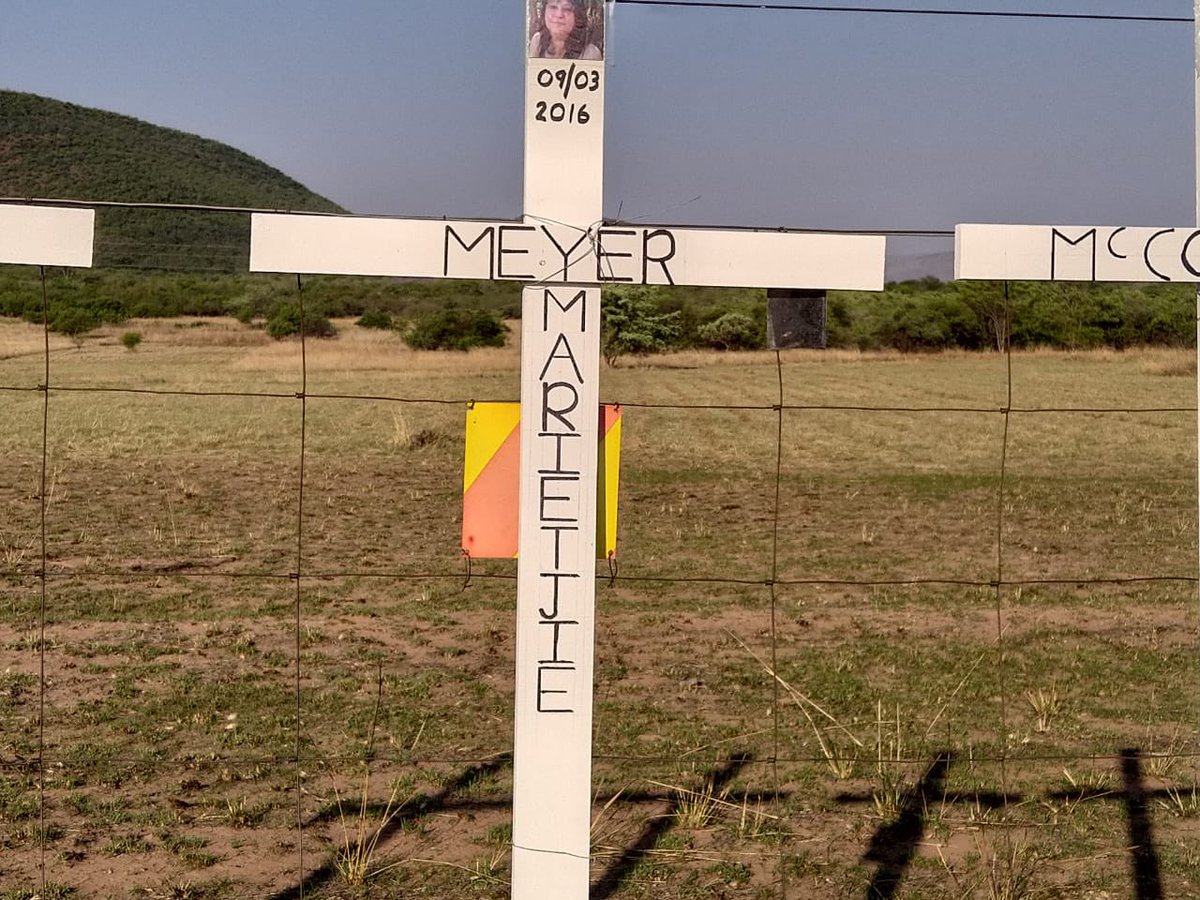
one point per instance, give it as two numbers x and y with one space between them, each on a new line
556 592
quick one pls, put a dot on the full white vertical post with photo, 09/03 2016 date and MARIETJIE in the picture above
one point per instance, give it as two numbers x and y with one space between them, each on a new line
557 509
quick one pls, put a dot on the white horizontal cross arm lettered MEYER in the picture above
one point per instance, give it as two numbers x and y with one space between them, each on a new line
548 253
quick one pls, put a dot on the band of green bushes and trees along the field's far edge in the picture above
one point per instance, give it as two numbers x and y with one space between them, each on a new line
911 316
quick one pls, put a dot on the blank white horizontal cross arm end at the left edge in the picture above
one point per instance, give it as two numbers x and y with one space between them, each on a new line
46 236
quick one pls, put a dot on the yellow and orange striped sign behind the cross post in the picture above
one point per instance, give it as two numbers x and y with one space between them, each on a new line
491 481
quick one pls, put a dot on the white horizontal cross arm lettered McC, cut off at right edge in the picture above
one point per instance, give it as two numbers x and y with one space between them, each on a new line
999 253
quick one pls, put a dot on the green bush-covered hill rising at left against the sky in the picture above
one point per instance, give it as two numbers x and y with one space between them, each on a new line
56 151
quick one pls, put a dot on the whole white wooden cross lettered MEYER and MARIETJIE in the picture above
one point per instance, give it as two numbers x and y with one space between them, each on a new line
565 251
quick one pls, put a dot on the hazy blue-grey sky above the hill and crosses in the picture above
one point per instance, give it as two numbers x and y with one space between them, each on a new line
717 117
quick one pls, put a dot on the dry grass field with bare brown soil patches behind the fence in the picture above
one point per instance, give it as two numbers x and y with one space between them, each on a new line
925 688
